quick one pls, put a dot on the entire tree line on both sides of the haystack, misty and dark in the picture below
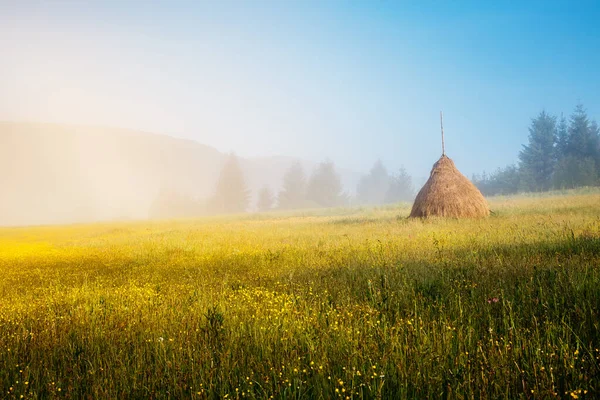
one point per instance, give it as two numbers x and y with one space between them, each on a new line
560 154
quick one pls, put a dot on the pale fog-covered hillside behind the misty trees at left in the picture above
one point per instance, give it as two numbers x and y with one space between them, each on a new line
58 173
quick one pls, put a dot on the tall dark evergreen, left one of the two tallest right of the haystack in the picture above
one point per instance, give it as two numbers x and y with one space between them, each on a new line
537 159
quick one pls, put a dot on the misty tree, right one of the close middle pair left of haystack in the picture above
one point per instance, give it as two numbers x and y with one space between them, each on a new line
325 187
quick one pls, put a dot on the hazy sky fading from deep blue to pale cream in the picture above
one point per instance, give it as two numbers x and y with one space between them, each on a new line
350 80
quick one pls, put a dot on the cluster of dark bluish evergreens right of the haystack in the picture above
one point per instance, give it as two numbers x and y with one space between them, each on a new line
560 154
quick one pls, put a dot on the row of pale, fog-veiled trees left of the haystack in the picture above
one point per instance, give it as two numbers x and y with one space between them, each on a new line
323 188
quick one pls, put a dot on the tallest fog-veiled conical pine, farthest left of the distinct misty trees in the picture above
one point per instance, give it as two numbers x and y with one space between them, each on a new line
231 195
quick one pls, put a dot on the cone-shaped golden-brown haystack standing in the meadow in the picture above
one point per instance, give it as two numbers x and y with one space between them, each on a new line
448 193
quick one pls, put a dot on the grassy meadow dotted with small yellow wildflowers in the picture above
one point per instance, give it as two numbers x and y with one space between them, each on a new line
349 304
